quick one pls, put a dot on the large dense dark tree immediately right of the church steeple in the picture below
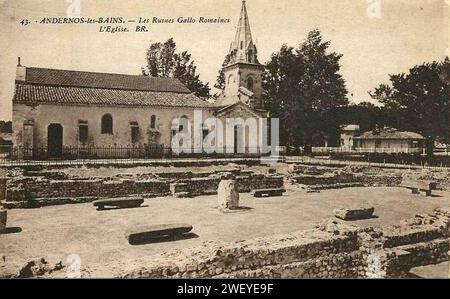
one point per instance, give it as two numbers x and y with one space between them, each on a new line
301 87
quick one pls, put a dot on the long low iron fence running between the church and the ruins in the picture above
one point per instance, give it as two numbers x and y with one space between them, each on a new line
10 155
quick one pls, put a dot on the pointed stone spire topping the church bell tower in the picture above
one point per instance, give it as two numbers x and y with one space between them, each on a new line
243 49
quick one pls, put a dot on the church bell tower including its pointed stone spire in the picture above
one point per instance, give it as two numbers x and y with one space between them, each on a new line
243 73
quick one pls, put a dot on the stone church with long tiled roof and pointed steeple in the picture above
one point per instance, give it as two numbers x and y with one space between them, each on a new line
57 109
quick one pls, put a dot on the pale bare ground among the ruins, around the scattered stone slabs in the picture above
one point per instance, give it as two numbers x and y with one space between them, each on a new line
98 237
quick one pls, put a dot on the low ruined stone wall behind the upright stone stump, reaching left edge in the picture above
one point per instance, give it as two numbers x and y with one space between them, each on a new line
50 188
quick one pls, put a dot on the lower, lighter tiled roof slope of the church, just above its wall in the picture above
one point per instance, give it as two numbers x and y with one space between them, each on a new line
39 94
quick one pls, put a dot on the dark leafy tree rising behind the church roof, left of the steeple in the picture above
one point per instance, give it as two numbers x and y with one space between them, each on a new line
164 61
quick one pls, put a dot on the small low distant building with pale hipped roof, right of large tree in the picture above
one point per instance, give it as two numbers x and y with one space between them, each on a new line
390 140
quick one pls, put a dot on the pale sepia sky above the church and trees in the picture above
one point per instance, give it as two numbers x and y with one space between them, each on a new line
374 42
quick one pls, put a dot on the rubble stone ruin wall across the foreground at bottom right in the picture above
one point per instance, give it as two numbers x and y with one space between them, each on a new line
333 250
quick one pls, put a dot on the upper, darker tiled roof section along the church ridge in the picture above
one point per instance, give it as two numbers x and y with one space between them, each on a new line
42 76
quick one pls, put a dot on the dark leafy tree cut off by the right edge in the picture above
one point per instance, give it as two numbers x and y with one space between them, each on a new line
419 100
